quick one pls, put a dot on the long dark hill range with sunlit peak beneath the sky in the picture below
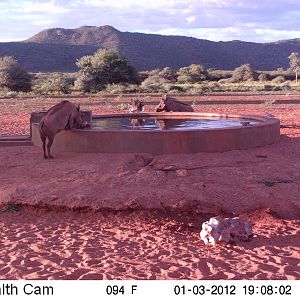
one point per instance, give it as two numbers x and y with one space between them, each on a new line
57 50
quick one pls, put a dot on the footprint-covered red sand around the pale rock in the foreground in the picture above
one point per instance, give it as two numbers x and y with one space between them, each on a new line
41 244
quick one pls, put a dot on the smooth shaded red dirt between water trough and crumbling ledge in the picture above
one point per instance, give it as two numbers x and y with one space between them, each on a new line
230 182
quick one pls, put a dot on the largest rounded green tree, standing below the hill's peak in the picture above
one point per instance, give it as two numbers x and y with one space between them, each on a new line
106 66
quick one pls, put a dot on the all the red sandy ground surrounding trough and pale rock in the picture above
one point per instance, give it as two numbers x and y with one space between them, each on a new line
45 239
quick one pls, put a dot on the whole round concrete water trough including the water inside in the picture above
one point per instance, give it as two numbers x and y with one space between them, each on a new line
166 133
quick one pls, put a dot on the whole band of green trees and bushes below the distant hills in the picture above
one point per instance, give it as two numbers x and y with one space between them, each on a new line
107 73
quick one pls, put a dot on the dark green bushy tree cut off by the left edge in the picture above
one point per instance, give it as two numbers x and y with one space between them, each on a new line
13 76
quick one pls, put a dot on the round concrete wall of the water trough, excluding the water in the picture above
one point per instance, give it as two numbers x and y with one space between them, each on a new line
267 131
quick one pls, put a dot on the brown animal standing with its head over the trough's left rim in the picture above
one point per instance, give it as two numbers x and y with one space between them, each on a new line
62 116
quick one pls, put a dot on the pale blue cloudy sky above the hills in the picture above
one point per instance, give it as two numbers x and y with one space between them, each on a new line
216 20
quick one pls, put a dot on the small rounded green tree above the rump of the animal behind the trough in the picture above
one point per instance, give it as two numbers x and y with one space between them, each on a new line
192 74
